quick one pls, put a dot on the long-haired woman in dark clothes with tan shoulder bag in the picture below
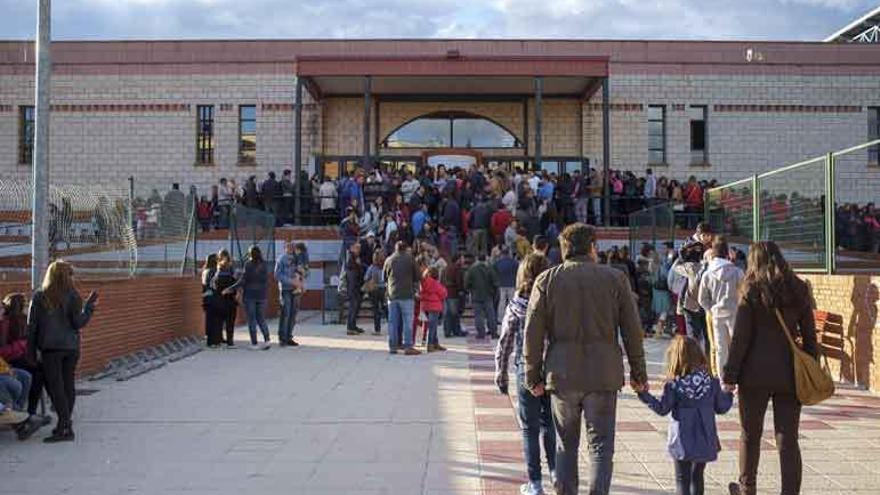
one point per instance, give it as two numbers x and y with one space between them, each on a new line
761 364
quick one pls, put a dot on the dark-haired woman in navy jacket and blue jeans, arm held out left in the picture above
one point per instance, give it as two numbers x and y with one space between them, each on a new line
254 284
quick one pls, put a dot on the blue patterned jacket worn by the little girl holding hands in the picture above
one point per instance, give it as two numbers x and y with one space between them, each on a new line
693 400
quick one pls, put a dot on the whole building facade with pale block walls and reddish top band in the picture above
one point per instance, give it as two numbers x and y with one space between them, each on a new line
123 109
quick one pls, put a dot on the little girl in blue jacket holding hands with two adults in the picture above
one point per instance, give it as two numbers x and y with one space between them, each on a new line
693 397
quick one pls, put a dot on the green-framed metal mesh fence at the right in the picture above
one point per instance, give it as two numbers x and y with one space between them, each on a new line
798 206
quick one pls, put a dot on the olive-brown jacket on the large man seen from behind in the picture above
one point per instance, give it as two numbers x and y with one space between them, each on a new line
582 310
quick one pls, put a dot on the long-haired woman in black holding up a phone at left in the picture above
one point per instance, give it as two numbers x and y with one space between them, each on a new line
56 315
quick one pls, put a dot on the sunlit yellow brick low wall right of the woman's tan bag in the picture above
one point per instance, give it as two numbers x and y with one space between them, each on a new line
854 298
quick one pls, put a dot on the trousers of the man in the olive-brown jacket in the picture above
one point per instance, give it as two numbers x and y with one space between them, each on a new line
599 410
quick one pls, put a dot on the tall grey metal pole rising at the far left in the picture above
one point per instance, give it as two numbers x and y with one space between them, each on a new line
40 196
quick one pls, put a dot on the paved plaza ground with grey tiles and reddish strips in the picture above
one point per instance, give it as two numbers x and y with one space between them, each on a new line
339 415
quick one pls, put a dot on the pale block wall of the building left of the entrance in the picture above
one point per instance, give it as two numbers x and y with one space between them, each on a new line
107 128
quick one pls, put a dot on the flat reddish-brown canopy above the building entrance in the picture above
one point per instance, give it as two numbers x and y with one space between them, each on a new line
453 74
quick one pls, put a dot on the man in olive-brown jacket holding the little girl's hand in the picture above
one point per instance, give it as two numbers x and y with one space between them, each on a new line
577 308
